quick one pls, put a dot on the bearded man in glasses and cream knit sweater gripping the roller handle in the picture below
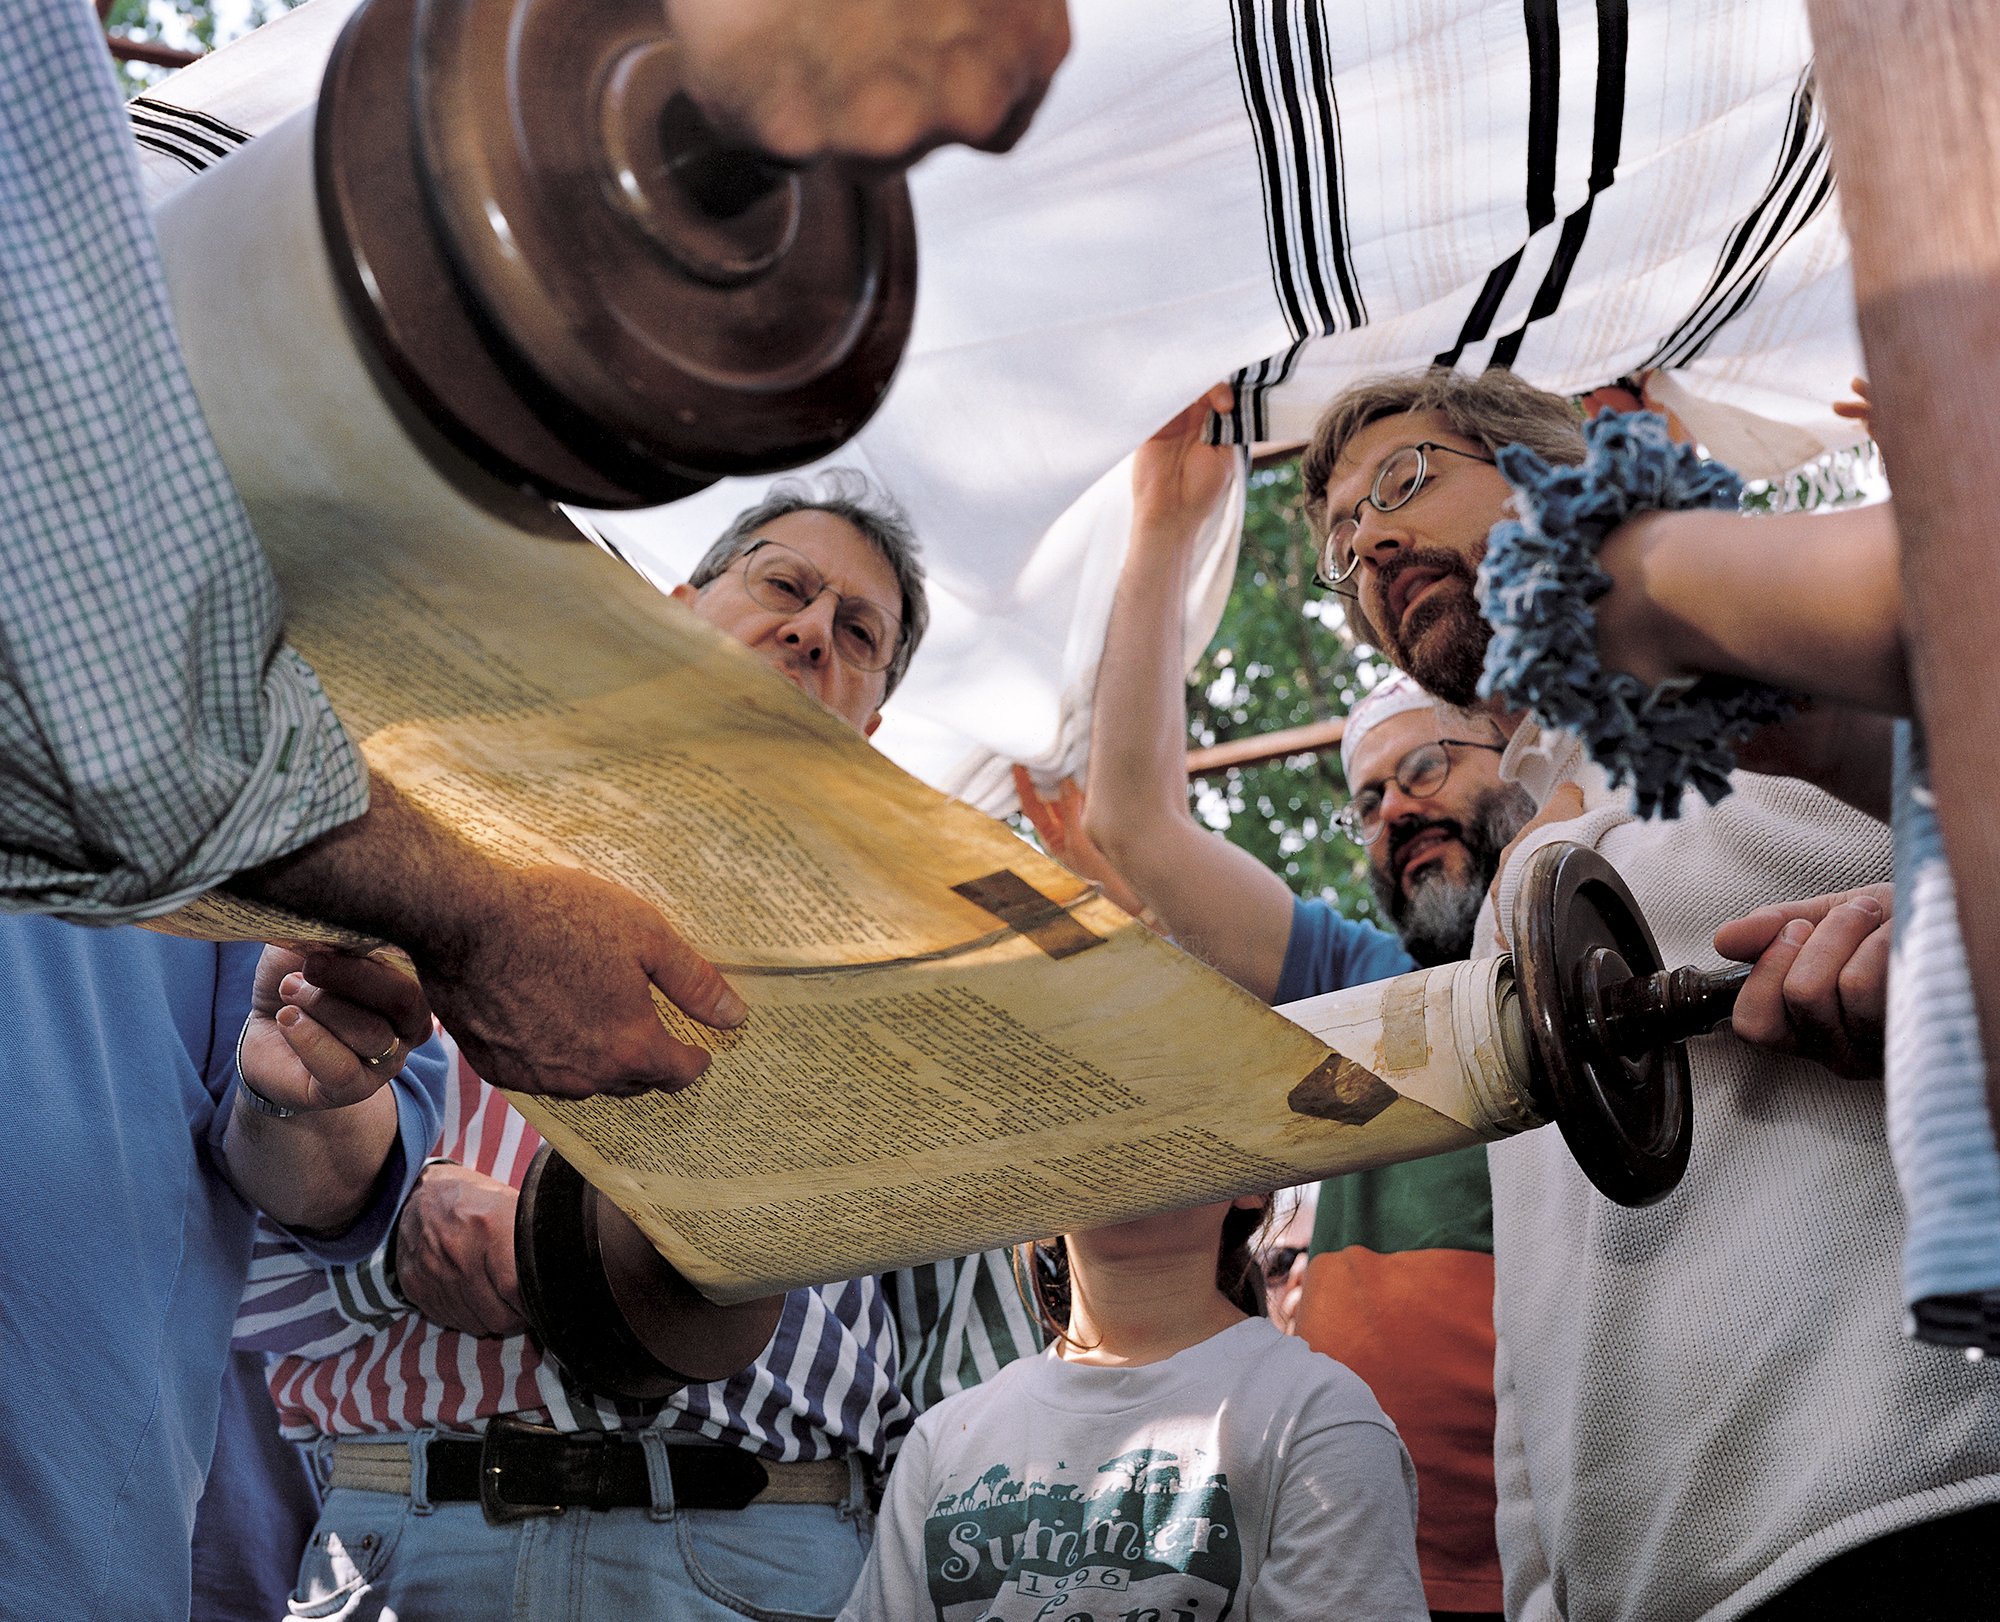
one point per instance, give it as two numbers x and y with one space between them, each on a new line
1677 1385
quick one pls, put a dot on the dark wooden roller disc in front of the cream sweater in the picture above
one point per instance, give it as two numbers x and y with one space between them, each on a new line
1605 1027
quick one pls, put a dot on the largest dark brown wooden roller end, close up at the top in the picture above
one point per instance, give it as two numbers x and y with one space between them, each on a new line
571 281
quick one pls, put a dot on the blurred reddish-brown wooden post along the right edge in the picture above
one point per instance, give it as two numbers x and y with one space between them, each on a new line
1913 109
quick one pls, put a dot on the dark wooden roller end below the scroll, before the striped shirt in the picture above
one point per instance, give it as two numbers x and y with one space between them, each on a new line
615 1311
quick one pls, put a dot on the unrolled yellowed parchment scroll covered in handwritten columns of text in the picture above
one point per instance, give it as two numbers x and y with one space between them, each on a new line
955 1043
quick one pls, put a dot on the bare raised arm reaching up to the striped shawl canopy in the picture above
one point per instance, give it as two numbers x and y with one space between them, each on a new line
1217 901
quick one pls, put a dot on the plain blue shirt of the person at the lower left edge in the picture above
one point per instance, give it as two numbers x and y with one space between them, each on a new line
125 1253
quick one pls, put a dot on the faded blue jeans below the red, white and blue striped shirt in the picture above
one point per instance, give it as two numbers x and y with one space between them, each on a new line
379 1557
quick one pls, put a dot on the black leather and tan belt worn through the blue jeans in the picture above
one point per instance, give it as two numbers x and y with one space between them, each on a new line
517 1471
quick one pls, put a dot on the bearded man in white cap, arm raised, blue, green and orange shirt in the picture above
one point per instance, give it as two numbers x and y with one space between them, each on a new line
1401 1279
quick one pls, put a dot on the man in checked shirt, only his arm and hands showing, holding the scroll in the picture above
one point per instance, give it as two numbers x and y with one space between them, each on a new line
157 737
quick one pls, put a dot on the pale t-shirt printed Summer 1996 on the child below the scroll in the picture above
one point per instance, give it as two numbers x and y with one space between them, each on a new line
1247 1477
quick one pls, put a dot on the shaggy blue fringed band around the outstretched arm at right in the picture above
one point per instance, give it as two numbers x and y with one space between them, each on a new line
1537 587
